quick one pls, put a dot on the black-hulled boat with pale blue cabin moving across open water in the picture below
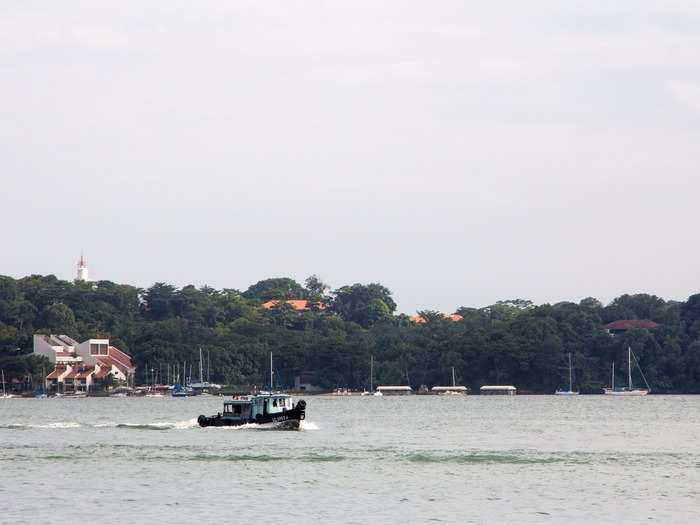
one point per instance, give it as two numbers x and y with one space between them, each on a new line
265 408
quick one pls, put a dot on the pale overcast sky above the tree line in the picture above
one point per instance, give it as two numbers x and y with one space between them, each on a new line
457 152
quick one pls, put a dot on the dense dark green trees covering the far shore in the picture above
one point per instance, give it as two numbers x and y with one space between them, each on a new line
329 336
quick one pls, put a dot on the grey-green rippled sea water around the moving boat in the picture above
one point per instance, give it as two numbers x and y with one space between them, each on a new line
534 459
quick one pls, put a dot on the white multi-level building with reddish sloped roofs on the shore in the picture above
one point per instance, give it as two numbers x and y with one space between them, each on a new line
78 365
